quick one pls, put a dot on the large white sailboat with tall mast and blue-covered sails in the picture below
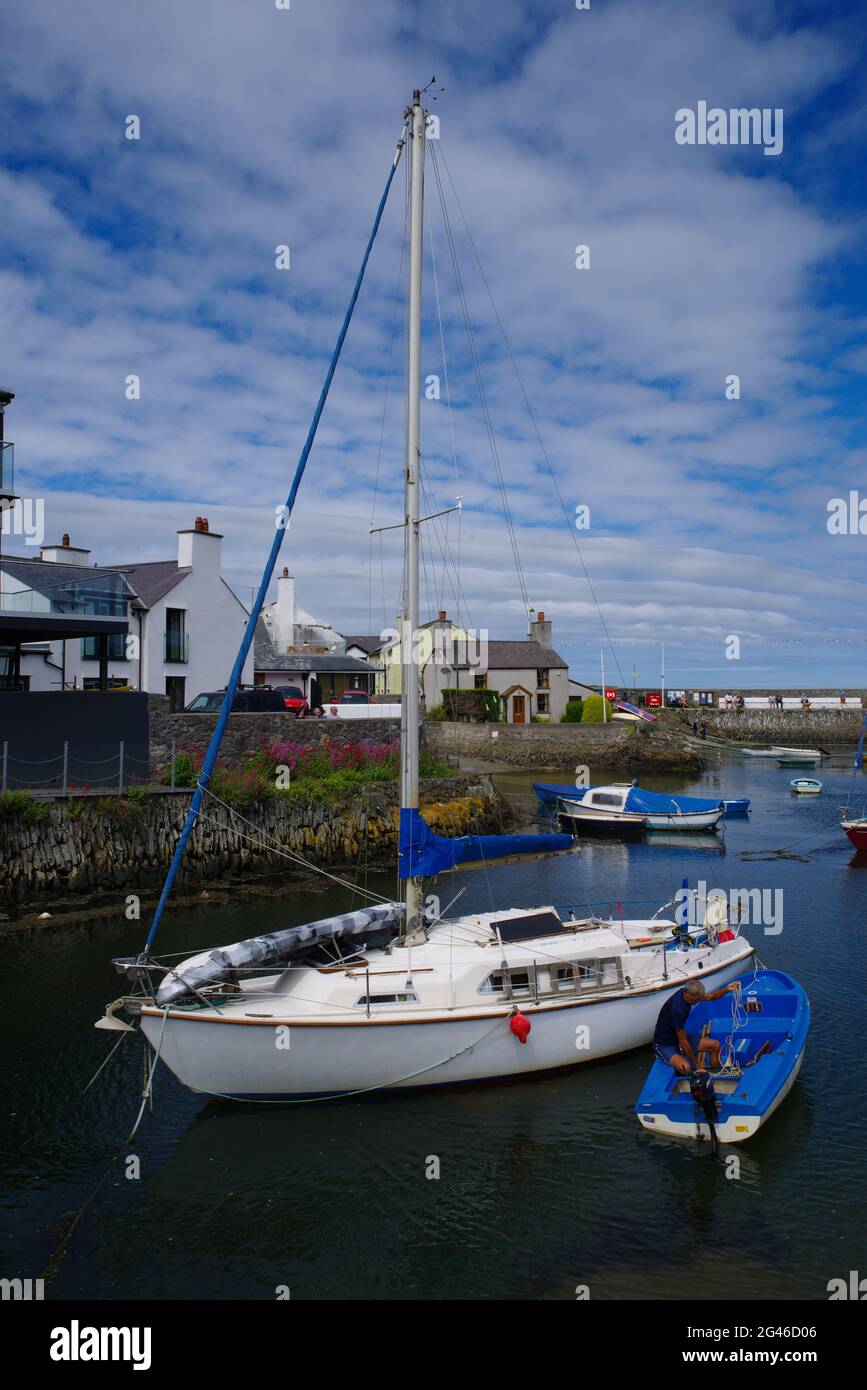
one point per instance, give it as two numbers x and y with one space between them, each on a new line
395 996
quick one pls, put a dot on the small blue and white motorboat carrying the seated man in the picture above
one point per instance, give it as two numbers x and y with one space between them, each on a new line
763 1035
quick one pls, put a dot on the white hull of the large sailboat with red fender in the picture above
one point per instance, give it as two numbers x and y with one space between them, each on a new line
256 1058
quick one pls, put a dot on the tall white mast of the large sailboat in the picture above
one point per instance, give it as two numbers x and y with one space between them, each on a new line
411 687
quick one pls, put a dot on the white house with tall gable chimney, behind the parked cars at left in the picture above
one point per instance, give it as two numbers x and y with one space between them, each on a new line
185 623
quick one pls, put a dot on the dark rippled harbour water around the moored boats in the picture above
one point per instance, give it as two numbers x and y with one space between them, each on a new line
544 1186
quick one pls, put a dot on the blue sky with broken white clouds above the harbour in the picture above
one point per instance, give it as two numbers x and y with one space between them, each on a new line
265 127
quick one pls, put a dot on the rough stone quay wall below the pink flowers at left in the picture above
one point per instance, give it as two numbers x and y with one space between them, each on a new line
106 844
